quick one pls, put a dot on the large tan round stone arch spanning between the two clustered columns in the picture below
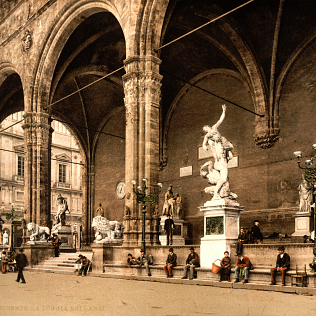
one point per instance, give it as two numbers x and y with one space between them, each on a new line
56 40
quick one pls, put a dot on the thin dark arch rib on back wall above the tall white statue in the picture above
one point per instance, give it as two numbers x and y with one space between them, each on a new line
182 93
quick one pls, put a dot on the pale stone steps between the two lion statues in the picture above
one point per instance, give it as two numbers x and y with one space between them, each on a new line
65 263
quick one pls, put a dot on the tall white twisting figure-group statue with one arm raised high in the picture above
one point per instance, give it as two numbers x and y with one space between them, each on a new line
221 150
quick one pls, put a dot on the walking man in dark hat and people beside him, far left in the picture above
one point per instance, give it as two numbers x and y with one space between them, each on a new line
19 260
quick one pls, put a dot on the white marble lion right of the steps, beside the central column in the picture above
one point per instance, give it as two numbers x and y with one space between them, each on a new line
106 231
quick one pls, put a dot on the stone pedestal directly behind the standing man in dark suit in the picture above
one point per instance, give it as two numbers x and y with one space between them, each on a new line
179 232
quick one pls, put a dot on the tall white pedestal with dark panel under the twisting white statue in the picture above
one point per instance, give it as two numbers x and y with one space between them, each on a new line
221 227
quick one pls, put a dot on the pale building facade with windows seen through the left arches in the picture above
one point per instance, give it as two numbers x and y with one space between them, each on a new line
65 179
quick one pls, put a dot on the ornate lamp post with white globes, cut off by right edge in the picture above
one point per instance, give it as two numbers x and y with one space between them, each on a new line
309 175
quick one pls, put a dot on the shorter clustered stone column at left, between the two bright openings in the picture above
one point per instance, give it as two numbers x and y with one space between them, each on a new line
37 139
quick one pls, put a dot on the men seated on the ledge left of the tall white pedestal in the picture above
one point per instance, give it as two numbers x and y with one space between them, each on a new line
144 259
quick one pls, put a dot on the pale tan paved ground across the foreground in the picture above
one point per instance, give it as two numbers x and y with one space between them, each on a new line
59 294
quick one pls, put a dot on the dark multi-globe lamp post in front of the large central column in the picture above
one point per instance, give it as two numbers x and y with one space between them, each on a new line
143 199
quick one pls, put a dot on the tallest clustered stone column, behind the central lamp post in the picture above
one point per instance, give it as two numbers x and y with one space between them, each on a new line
142 102
